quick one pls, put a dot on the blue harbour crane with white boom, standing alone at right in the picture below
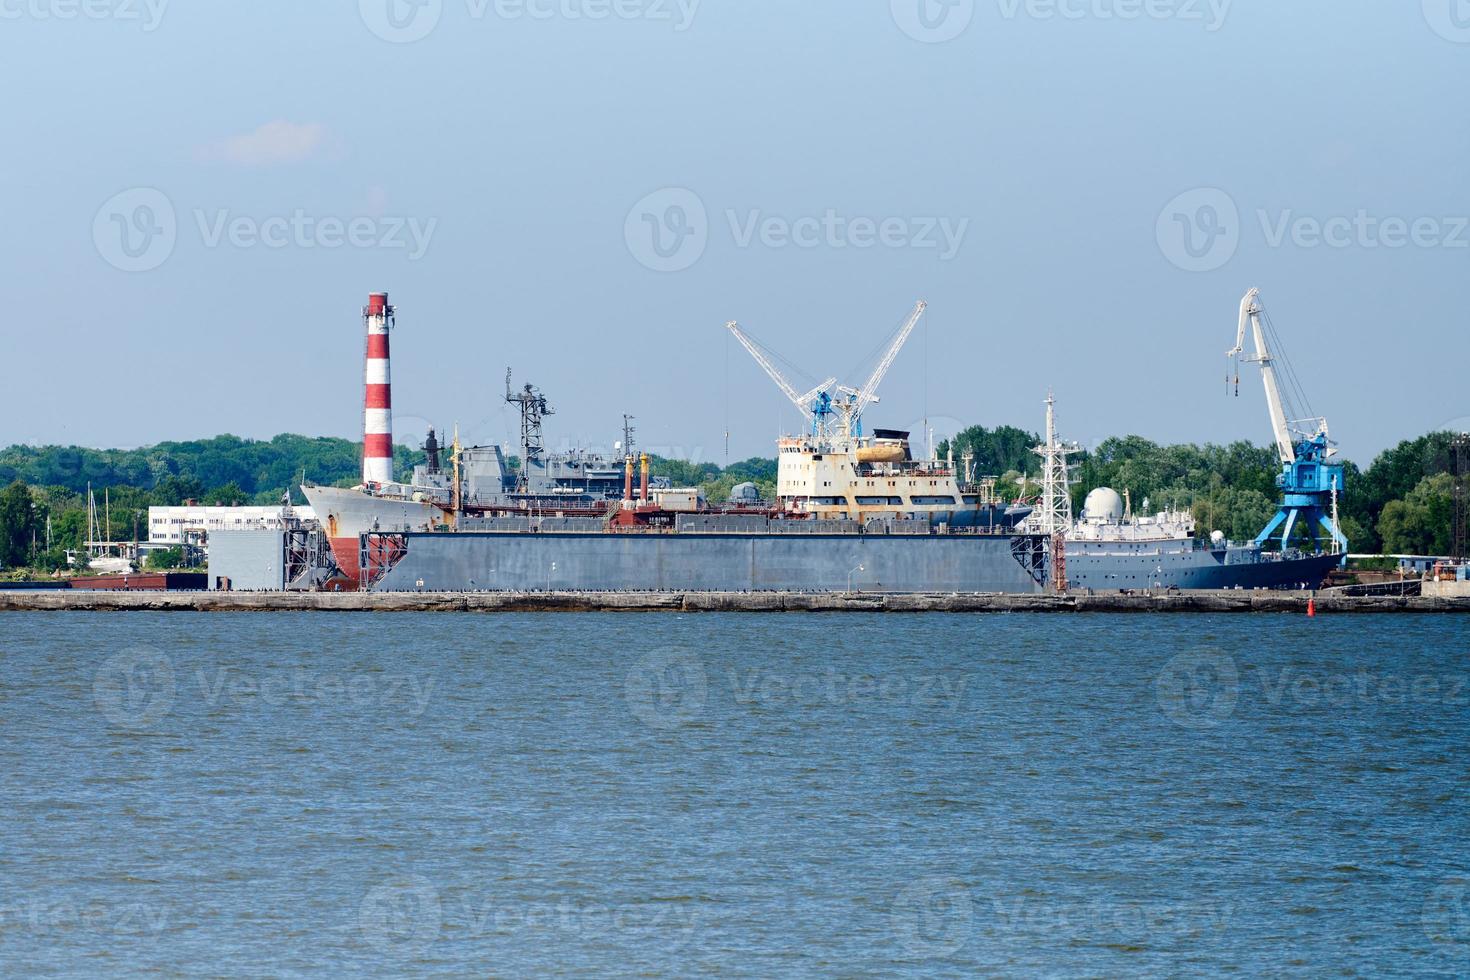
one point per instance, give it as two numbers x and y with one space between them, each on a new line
1311 480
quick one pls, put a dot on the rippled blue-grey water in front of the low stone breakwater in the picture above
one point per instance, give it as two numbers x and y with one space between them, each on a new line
739 796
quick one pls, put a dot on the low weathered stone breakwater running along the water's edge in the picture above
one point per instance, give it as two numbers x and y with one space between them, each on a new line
1224 602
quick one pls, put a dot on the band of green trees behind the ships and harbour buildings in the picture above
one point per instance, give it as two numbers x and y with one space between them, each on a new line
1402 505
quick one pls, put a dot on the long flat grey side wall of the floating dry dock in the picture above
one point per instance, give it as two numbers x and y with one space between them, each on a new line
715 562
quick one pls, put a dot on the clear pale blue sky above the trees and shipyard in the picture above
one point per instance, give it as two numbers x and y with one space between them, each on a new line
201 196
